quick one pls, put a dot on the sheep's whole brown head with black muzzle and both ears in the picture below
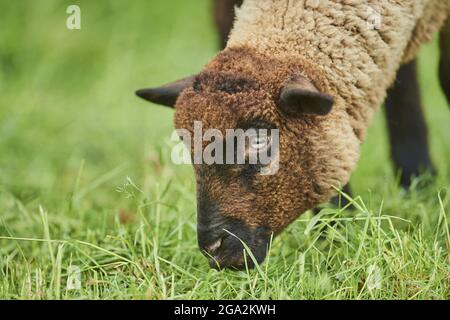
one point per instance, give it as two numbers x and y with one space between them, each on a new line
309 144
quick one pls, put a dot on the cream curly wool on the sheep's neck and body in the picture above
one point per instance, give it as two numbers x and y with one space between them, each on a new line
359 61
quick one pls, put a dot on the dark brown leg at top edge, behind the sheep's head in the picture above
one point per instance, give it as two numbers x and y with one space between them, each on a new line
224 18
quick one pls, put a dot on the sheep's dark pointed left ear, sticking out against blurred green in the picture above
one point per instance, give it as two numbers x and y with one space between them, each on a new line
166 95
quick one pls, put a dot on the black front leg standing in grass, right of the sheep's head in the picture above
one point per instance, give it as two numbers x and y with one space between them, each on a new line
407 127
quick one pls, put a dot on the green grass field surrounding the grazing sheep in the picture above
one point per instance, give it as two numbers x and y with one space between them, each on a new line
86 179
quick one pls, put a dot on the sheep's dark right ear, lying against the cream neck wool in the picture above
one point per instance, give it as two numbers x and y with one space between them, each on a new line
300 96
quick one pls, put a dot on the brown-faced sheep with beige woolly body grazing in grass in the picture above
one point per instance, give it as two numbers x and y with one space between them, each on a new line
317 71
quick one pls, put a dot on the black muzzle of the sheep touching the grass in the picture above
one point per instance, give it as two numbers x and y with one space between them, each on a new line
223 244
